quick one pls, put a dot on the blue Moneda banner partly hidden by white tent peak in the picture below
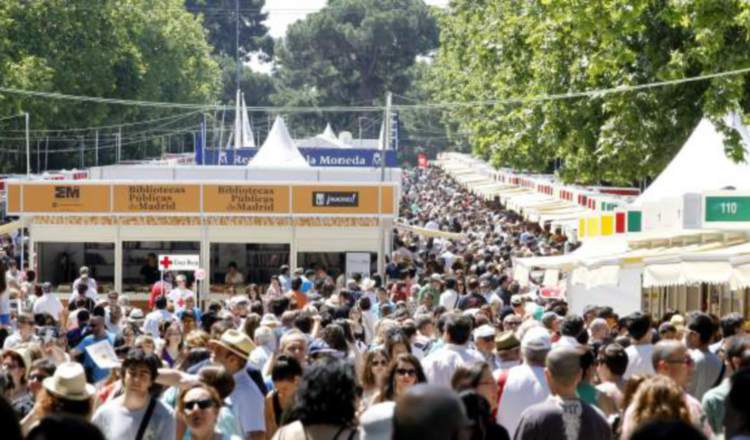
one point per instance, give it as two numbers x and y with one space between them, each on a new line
316 157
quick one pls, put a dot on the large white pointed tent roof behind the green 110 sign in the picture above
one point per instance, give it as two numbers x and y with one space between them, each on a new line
700 165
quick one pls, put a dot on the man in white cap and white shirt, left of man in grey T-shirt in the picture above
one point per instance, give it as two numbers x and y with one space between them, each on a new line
526 384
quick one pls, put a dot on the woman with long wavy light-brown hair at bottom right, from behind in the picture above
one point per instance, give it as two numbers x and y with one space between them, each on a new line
657 398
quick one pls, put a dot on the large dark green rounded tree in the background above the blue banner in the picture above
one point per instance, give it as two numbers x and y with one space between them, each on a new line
351 52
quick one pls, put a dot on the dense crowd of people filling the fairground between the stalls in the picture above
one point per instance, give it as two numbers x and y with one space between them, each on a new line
444 345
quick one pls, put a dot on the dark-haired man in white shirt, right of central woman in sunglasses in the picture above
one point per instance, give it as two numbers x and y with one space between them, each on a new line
440 365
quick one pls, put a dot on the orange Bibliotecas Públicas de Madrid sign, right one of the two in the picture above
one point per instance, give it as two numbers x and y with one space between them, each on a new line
249 199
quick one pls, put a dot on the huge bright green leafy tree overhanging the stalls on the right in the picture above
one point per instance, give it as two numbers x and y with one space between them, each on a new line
511 51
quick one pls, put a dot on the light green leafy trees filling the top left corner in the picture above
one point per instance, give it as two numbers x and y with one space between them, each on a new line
127 49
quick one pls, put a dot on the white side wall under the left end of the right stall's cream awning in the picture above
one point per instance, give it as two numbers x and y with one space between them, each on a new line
624 297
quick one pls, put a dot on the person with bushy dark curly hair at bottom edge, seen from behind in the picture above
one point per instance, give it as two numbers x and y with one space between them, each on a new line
325 404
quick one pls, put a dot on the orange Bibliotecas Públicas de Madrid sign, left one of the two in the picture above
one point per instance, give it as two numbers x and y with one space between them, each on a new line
157 198
